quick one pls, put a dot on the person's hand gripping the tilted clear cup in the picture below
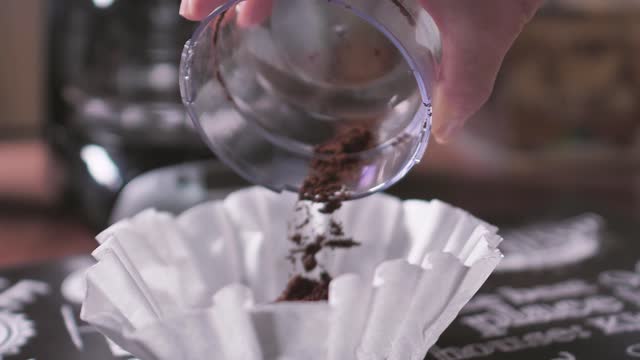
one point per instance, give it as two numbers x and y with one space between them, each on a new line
476 35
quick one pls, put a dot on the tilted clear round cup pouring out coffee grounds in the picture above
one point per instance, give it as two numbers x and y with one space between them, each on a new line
265 96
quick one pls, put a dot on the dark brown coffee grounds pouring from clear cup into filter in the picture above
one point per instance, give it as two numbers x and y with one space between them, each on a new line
333 166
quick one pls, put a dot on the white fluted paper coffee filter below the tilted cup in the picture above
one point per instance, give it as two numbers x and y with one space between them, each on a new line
201 285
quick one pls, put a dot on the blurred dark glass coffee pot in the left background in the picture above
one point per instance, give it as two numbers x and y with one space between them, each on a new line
114 97
